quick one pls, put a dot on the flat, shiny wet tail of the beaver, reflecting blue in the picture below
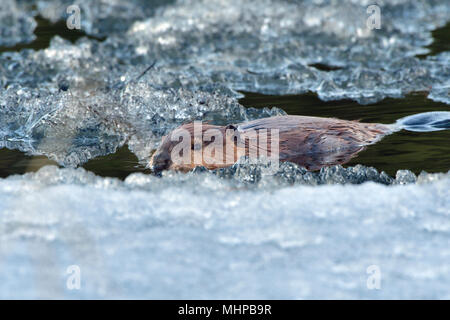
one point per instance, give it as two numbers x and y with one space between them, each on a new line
425 122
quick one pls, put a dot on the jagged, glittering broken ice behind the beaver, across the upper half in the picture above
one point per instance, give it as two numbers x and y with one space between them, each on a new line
211 49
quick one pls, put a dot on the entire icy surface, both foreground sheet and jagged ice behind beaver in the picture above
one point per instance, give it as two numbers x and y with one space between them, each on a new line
202 235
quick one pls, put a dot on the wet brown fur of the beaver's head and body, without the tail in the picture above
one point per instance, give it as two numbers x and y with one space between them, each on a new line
311 142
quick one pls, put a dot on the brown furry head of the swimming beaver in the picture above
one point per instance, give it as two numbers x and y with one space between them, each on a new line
196 144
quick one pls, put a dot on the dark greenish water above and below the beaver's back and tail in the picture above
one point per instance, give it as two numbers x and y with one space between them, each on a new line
415 151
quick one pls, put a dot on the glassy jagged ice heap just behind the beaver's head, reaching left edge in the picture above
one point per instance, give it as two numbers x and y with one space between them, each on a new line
101 111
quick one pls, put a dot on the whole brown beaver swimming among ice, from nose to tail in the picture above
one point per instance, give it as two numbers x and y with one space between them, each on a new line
311 142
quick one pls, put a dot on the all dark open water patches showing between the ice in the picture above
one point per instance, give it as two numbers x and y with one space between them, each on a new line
429 151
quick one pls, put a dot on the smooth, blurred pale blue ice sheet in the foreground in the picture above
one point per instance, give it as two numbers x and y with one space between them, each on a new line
199 236
